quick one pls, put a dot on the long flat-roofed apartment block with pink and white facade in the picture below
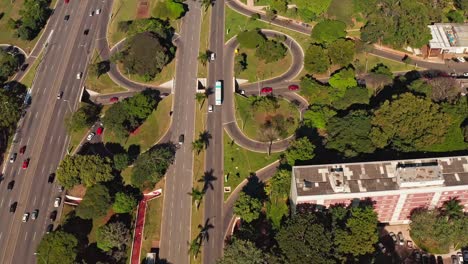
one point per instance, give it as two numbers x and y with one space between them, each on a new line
396 187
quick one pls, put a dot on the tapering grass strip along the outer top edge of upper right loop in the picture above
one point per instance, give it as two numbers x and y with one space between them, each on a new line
236 23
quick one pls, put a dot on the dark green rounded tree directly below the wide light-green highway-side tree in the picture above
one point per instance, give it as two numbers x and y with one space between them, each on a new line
95 202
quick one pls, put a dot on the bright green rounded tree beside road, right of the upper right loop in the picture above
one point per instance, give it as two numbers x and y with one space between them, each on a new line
328 31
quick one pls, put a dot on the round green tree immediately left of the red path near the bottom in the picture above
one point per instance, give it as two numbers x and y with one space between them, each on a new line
112 235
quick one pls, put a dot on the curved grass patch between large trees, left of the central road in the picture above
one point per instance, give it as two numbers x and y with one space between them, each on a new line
151 130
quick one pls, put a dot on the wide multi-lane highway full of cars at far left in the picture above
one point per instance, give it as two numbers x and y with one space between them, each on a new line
42 130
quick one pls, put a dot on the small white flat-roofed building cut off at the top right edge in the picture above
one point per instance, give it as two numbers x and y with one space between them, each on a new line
448 38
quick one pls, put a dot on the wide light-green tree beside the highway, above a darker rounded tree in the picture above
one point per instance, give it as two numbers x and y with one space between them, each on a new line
84 169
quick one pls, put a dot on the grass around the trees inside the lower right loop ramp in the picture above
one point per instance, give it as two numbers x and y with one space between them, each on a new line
250 121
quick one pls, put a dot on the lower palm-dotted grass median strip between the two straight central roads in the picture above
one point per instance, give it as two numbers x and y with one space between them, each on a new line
198 172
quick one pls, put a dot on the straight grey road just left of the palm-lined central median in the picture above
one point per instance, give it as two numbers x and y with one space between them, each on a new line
175 234
